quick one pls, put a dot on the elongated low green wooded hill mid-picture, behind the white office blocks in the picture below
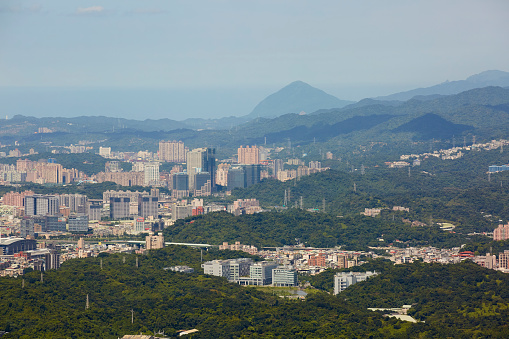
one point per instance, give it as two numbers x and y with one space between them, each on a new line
313 229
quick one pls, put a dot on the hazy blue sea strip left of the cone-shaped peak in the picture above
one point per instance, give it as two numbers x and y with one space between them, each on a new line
130 103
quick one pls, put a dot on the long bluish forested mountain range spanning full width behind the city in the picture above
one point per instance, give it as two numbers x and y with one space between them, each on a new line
483 112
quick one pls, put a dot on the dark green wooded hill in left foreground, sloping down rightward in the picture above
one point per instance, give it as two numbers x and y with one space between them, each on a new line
124 299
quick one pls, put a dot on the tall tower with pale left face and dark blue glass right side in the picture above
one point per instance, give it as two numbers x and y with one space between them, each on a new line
201 160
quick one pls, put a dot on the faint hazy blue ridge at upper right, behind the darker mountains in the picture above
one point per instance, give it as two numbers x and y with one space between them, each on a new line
483 79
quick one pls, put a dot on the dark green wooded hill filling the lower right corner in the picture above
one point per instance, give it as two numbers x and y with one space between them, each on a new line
454 301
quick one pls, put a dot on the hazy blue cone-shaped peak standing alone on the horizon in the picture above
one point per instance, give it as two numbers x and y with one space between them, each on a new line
295 98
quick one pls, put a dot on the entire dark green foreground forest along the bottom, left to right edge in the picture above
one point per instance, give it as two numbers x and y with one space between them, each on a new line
460 301
